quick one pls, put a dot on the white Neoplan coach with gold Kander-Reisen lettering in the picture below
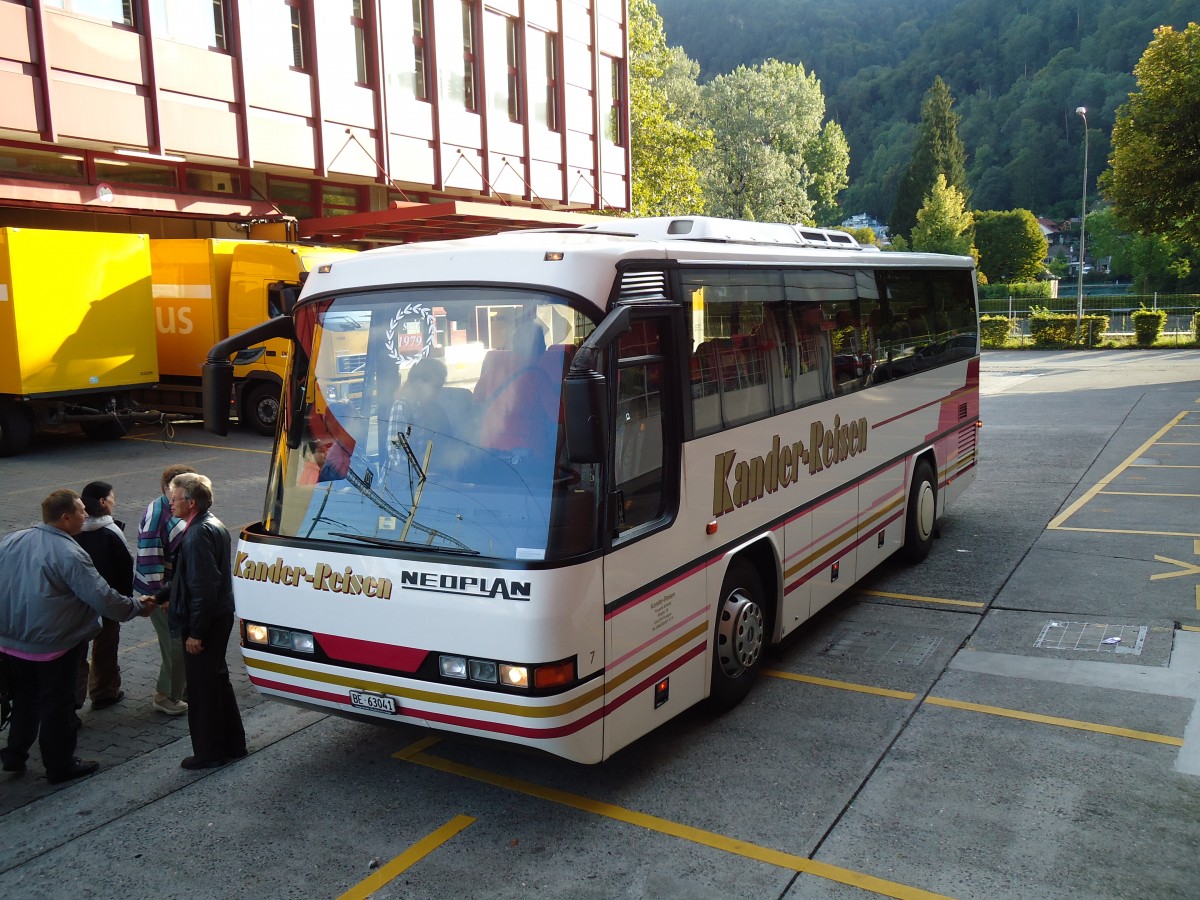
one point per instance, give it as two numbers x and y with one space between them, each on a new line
555 488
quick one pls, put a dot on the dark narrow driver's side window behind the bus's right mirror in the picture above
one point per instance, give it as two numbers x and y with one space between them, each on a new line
639 429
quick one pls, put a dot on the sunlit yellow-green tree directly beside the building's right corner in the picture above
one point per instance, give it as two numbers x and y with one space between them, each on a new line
668 141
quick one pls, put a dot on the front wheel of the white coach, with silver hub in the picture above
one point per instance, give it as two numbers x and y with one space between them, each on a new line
740 637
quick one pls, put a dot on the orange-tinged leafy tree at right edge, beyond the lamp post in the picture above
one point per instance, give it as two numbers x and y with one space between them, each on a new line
1154 181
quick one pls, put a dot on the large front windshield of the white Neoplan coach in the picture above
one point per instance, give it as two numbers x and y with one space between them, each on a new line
430 419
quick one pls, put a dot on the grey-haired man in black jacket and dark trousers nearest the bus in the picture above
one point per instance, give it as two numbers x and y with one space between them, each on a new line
201 615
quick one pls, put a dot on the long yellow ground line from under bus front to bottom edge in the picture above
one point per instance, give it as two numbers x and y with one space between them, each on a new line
676 830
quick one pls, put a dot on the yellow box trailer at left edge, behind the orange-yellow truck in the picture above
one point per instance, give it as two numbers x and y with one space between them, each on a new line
76 331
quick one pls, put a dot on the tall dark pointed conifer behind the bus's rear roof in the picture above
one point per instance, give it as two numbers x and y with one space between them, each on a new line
939 153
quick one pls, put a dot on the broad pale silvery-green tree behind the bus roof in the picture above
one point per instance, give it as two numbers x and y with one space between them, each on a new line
773 159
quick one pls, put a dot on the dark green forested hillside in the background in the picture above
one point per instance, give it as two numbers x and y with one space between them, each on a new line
1017 69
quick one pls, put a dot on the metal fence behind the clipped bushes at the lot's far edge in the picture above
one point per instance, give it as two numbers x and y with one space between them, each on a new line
1119 308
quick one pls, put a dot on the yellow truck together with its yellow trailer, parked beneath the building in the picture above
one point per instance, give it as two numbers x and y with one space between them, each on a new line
106 331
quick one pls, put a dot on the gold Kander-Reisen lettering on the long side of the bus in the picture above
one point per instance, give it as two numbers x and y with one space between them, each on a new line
739 483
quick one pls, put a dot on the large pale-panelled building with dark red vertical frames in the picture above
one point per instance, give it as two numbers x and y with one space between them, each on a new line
374 121
